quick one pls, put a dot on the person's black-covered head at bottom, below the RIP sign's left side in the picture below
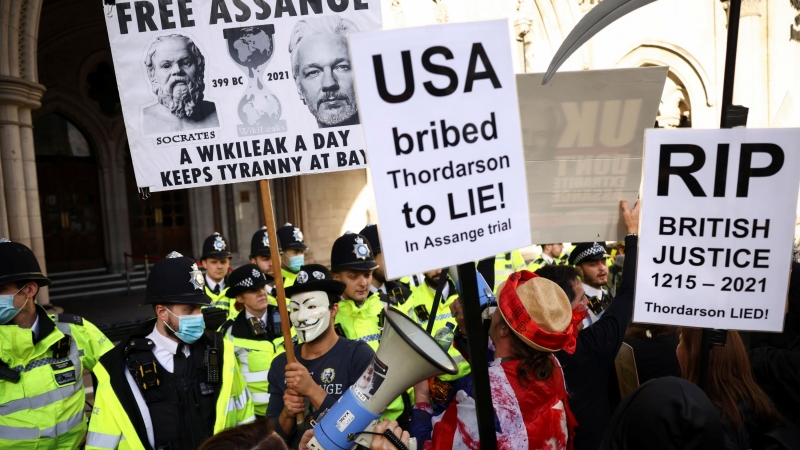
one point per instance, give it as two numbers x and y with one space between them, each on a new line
665 414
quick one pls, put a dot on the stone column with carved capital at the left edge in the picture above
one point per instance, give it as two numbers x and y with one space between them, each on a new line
20 215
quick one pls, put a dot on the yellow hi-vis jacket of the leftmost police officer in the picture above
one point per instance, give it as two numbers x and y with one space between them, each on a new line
44 409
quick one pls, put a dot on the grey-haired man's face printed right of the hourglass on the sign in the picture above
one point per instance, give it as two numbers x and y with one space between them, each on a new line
321 69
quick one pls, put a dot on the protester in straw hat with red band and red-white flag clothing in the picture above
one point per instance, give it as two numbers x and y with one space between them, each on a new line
533 320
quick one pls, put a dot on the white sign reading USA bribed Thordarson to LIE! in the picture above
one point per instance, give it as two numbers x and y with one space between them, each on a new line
441 123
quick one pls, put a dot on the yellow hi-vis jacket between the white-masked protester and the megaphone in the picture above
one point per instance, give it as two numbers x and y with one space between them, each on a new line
365 324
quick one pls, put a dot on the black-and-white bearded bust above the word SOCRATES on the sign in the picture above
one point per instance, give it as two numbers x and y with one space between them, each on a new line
175 69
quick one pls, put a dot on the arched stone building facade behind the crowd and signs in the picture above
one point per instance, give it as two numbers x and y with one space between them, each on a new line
67 187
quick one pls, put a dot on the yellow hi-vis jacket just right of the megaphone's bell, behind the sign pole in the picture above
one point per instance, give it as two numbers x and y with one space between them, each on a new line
422 297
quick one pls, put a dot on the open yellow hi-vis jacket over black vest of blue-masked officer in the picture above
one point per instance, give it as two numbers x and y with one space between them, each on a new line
111 427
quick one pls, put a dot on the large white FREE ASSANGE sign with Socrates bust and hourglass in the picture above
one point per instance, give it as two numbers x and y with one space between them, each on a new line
225 91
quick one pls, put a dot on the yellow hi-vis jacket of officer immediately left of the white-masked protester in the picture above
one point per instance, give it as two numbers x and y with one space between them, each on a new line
254 355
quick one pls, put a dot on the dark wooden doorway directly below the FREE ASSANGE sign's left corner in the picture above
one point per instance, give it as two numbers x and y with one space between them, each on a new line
160 223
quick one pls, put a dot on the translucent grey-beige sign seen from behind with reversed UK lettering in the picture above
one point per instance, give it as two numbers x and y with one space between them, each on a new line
583 135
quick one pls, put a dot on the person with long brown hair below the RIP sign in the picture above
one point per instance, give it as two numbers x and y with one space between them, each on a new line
747 414
